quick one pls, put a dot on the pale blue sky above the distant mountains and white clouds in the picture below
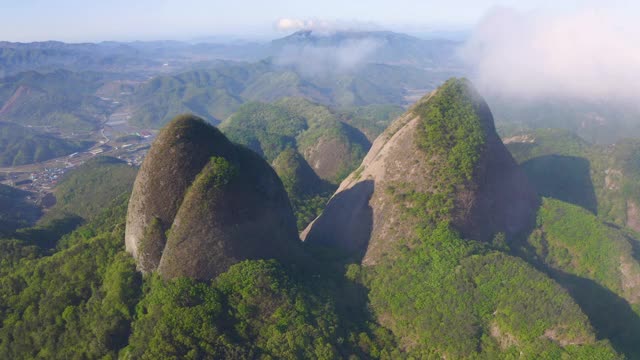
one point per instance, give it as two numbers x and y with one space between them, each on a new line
76 20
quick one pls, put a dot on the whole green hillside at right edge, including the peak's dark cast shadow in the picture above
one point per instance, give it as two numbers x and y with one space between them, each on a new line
581 246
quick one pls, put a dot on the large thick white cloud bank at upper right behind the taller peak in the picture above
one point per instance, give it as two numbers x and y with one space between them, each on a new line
589 53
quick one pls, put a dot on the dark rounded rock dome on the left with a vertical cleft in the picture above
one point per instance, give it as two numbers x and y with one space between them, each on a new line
201 203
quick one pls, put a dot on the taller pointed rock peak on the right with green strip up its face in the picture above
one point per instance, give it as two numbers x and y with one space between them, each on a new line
442 159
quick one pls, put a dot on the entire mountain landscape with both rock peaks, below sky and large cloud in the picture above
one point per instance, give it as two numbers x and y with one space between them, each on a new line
324 195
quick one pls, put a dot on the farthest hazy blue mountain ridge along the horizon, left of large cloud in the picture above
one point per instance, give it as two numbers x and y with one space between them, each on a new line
139 56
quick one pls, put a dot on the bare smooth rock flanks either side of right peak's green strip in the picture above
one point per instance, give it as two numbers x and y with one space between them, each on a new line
501 199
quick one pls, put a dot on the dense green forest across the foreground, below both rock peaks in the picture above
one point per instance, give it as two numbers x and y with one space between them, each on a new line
92 303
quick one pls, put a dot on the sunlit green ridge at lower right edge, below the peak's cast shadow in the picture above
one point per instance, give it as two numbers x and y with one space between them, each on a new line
596 263
